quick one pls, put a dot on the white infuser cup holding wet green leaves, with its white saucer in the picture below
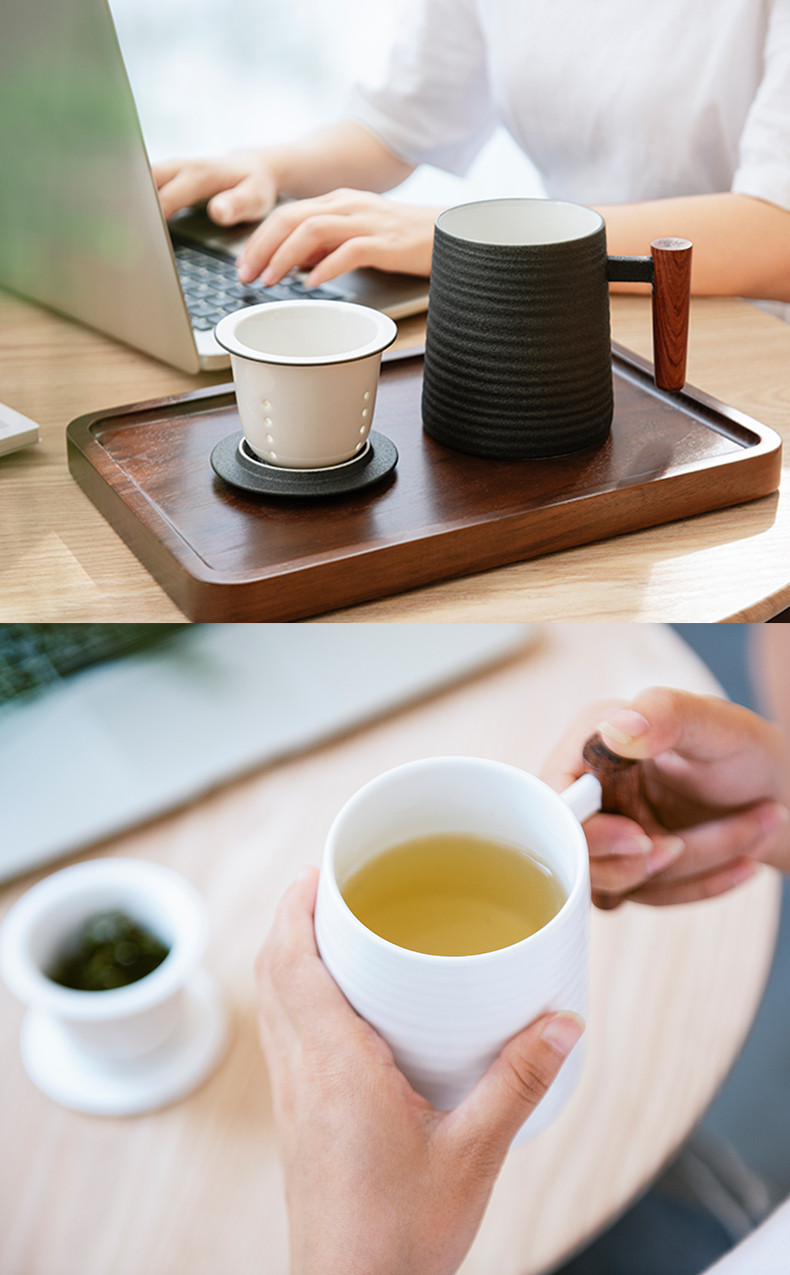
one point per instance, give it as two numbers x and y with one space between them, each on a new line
132 1049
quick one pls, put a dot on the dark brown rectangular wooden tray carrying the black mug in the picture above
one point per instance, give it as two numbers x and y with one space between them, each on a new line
222 555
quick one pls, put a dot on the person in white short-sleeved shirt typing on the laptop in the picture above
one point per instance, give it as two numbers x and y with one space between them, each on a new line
671 122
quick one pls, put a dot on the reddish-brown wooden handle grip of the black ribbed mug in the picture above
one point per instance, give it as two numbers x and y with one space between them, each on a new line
671 307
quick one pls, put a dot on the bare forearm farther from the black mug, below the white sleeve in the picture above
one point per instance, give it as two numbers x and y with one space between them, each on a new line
341 155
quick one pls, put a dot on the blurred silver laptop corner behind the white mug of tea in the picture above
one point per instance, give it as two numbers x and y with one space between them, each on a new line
106 726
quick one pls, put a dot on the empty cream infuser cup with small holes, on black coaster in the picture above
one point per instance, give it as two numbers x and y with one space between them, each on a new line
306 375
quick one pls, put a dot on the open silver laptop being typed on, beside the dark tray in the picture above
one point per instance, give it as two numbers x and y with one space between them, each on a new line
81 225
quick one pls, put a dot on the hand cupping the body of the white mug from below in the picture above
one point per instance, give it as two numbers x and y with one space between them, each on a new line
377 1180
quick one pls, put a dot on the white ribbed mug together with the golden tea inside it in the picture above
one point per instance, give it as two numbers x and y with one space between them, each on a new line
447 1010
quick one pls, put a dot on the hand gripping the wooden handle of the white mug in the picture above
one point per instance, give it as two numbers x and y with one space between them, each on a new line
715 790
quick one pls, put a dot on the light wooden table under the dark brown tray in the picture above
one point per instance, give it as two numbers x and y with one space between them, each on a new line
61 560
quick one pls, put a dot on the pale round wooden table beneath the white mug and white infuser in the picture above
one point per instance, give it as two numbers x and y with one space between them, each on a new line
197 1188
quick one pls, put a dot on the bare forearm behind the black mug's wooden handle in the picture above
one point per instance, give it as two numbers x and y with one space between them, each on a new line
742 245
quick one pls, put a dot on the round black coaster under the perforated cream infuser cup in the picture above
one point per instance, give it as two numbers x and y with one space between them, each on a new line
234 461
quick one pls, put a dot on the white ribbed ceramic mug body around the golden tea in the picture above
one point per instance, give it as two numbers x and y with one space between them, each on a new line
448 1018
